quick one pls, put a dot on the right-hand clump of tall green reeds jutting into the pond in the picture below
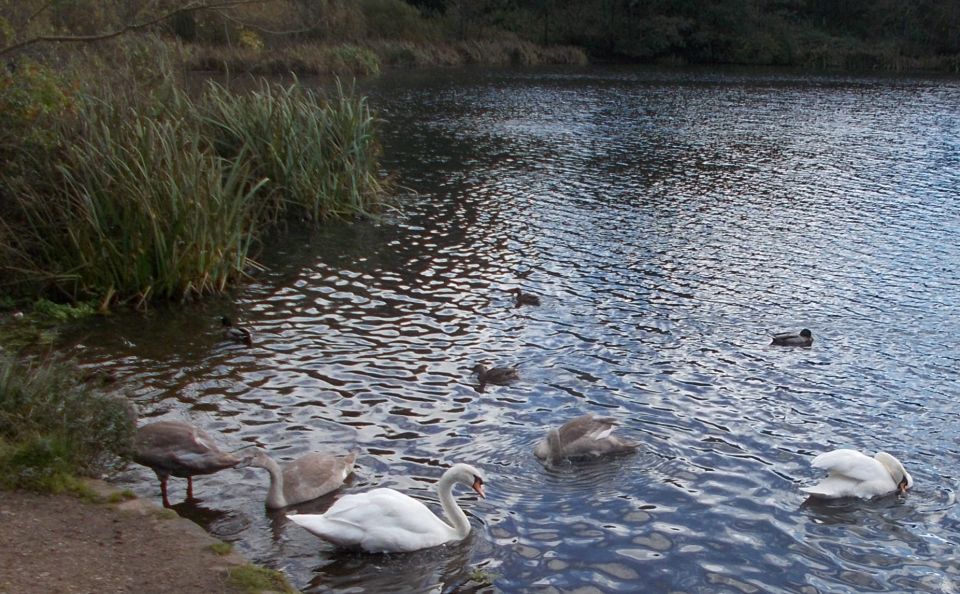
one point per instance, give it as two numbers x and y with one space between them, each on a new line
321 156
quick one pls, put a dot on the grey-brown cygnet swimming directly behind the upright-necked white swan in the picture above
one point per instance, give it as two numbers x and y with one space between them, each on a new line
306 478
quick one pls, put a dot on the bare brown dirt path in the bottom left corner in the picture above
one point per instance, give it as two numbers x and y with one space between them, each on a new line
61 544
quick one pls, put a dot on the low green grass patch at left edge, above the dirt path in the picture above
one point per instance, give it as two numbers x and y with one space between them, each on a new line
53 429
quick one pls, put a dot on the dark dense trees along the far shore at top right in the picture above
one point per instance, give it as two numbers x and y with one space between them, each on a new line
865 33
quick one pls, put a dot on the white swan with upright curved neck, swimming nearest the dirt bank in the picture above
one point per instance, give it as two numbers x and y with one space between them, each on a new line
387 521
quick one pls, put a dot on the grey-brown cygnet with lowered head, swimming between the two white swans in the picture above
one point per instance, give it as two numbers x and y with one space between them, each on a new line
586 436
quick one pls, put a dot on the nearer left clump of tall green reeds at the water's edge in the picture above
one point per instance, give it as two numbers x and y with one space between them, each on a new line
139 208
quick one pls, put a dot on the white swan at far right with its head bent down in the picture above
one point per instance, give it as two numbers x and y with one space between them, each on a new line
852 474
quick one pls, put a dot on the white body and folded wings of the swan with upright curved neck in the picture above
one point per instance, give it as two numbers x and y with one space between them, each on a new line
381 520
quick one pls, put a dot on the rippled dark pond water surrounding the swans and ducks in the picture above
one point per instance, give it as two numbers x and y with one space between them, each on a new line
671 222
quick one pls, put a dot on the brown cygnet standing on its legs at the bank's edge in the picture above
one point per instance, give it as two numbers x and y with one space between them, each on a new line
175 448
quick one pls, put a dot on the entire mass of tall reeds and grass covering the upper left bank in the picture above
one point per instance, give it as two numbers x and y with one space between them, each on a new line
136 190
